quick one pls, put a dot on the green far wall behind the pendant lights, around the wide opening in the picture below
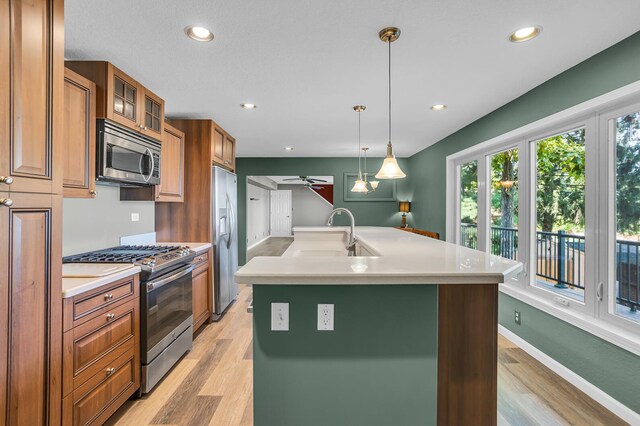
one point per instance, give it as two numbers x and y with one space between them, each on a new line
377 213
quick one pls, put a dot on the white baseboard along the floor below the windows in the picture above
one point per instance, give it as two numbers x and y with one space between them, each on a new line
606 400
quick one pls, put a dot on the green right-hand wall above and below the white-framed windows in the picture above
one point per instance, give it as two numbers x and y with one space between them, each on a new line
612 369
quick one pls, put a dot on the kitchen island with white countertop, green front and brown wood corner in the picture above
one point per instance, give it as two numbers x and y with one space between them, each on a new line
414 339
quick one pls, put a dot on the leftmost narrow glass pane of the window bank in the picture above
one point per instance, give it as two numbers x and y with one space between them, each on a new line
468 209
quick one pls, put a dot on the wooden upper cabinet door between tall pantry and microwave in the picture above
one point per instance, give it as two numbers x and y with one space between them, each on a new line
79 136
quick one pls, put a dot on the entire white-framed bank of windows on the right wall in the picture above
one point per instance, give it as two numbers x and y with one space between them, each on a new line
561 195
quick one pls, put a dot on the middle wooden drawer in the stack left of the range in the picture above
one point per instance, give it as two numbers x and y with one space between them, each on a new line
91 346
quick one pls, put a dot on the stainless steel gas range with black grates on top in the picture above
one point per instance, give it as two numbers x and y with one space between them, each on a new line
166 305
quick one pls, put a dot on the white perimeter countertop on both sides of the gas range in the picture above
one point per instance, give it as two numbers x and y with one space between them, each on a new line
98 274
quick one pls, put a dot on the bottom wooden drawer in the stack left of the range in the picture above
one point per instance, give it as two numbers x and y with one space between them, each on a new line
100 396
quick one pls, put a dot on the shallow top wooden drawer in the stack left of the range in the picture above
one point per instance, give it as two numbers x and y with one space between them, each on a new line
84 307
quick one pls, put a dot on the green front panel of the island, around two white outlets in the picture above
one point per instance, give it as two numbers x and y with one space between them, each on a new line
378 367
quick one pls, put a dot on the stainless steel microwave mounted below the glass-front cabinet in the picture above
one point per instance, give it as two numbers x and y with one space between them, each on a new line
125 157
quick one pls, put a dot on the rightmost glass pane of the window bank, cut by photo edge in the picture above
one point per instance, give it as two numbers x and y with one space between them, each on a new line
626 250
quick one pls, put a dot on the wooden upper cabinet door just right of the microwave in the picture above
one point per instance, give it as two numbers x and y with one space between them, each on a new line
171 186
